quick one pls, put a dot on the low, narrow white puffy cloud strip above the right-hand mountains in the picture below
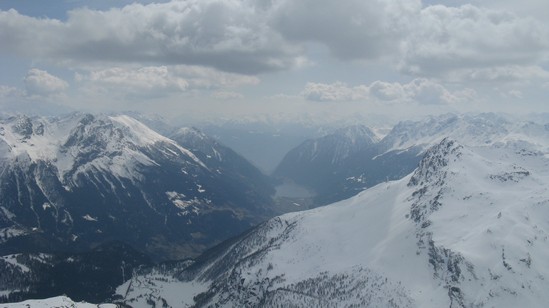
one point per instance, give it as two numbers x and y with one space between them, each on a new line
420 90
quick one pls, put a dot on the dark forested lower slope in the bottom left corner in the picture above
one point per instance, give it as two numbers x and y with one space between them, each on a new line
91 276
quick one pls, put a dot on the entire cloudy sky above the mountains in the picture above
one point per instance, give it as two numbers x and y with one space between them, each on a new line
209 59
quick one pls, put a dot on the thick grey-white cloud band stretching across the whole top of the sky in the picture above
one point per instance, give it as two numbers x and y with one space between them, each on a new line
256 36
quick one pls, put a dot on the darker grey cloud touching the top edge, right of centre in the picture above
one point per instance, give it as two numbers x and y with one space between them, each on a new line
352 29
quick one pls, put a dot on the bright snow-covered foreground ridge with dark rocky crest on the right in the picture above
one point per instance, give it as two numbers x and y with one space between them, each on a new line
469 228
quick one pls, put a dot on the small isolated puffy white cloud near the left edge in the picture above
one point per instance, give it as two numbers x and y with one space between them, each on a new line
39 82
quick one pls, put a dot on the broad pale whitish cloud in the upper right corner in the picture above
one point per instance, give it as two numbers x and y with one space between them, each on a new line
449 39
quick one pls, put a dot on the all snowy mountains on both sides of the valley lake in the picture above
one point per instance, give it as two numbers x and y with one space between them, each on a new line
449 211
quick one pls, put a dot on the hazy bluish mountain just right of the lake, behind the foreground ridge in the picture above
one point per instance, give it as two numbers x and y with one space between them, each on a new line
343 163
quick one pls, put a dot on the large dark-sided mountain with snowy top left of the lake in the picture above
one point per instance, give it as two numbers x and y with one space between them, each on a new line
72 182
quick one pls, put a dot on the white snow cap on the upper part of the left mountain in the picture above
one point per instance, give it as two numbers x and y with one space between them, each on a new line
45 139
